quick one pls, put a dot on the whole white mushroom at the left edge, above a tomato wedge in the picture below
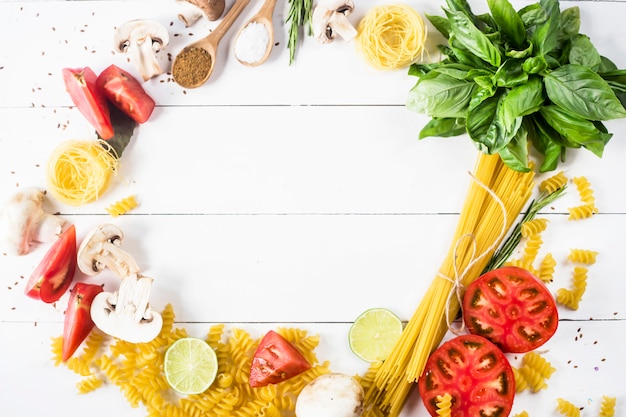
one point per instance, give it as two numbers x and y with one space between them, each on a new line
23 221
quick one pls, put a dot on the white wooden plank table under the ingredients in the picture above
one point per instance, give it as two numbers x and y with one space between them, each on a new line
282 195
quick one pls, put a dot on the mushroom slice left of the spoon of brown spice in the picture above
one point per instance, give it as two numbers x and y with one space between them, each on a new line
142 38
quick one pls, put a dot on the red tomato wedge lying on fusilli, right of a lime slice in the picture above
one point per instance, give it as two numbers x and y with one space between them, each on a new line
275 360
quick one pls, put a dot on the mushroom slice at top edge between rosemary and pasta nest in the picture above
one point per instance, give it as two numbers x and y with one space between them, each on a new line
330 17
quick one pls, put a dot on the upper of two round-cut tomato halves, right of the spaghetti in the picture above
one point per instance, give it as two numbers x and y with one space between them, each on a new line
512 308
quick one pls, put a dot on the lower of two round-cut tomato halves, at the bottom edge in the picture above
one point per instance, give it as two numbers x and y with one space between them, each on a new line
475 373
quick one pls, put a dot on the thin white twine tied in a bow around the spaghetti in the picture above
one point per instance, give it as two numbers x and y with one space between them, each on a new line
458 287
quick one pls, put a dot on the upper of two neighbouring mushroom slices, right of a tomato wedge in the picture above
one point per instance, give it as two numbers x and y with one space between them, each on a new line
101 249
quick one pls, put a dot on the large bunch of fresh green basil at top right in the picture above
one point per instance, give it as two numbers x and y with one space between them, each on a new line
513 78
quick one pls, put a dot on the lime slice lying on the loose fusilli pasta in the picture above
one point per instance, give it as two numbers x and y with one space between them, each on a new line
190 365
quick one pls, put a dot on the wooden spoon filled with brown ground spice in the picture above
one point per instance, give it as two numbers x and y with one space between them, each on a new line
194 64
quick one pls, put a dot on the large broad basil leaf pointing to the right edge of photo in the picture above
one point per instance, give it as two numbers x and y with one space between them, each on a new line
581 91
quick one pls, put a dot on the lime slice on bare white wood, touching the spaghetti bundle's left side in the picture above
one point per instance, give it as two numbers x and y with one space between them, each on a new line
374 334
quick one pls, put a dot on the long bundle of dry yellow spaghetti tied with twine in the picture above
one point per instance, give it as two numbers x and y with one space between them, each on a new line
495 198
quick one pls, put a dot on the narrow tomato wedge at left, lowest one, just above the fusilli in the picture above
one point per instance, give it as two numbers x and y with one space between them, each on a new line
78 322
